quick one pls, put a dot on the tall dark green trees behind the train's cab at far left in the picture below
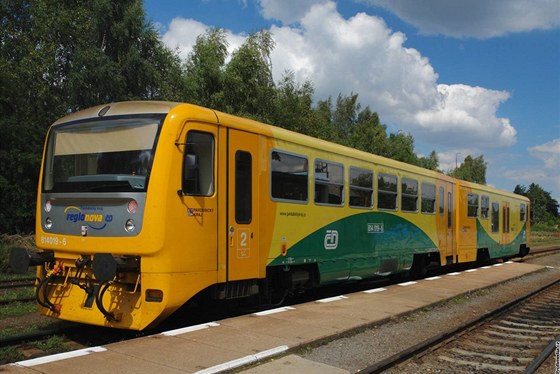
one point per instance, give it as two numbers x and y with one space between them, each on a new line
57 57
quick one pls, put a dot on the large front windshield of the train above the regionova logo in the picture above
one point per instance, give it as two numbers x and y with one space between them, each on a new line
109 155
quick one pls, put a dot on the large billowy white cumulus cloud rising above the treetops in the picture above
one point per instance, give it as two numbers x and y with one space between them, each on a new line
362 55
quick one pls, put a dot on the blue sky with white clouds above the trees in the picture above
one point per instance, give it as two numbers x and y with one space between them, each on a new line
463 77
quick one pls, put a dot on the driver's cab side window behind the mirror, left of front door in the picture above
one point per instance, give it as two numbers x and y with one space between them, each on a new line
198 164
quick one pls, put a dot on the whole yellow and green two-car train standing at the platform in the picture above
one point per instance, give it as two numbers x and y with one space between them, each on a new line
144 205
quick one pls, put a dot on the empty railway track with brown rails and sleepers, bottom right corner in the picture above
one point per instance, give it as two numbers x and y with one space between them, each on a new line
517 337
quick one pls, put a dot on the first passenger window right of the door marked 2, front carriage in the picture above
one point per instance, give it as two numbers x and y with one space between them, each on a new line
288 177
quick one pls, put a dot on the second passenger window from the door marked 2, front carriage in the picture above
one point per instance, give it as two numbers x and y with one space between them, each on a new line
329 183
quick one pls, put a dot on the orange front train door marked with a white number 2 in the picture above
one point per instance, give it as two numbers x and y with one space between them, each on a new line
242 217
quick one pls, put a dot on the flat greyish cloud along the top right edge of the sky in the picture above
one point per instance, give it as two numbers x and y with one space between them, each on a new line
475 18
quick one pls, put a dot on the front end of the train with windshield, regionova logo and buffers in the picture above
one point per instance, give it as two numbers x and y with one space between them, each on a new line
91 208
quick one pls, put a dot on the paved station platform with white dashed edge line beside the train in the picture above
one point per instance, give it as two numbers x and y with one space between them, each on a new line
231 343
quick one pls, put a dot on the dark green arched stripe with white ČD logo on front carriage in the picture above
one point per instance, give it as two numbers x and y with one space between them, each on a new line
360 246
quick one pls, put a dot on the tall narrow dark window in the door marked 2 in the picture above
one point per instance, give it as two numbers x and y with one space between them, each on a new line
243 187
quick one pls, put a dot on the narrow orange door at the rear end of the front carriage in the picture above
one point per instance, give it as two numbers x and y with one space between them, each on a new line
446 221
